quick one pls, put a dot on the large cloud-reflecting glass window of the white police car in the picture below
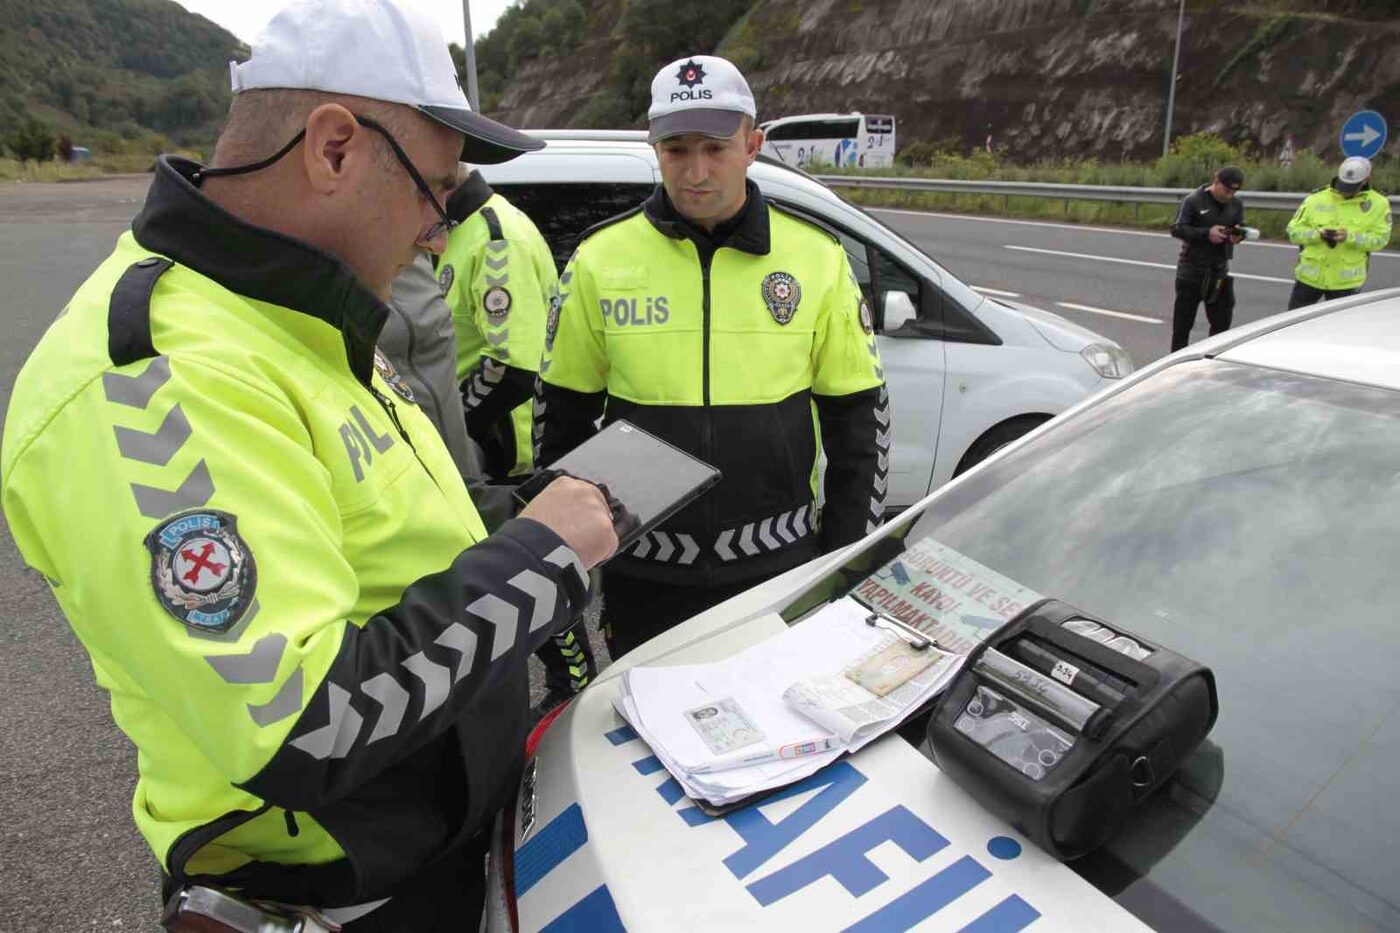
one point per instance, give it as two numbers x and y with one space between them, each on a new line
1248 519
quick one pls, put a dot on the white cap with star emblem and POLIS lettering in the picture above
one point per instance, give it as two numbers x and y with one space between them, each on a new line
701 95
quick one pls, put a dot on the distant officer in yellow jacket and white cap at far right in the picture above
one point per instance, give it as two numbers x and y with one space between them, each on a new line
1338 229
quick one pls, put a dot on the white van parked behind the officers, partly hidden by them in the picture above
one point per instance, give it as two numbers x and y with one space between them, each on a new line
967 375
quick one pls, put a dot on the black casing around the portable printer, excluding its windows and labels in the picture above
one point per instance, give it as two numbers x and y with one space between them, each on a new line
1119 759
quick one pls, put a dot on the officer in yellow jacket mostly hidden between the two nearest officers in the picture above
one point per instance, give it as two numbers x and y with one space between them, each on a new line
498 275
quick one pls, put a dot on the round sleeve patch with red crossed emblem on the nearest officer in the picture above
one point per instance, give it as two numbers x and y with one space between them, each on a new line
202 571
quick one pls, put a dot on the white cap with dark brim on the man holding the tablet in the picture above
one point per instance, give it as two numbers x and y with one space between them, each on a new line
381 50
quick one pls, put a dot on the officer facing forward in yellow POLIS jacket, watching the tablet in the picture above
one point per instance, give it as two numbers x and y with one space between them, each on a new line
719 322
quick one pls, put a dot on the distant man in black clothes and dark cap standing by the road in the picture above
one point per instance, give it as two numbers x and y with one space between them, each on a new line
1209 226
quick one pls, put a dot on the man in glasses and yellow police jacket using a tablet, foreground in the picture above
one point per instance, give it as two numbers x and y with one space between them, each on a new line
262 543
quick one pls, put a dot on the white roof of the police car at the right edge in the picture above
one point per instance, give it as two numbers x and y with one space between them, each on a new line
1354 341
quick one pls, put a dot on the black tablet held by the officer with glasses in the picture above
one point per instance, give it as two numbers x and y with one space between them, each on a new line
653 480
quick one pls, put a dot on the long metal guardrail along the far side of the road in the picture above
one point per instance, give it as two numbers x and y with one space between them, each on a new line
1256 200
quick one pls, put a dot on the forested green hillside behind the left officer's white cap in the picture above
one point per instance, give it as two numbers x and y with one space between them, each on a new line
114 75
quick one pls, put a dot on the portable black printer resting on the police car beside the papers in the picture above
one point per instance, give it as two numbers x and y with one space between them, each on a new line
1062 725
